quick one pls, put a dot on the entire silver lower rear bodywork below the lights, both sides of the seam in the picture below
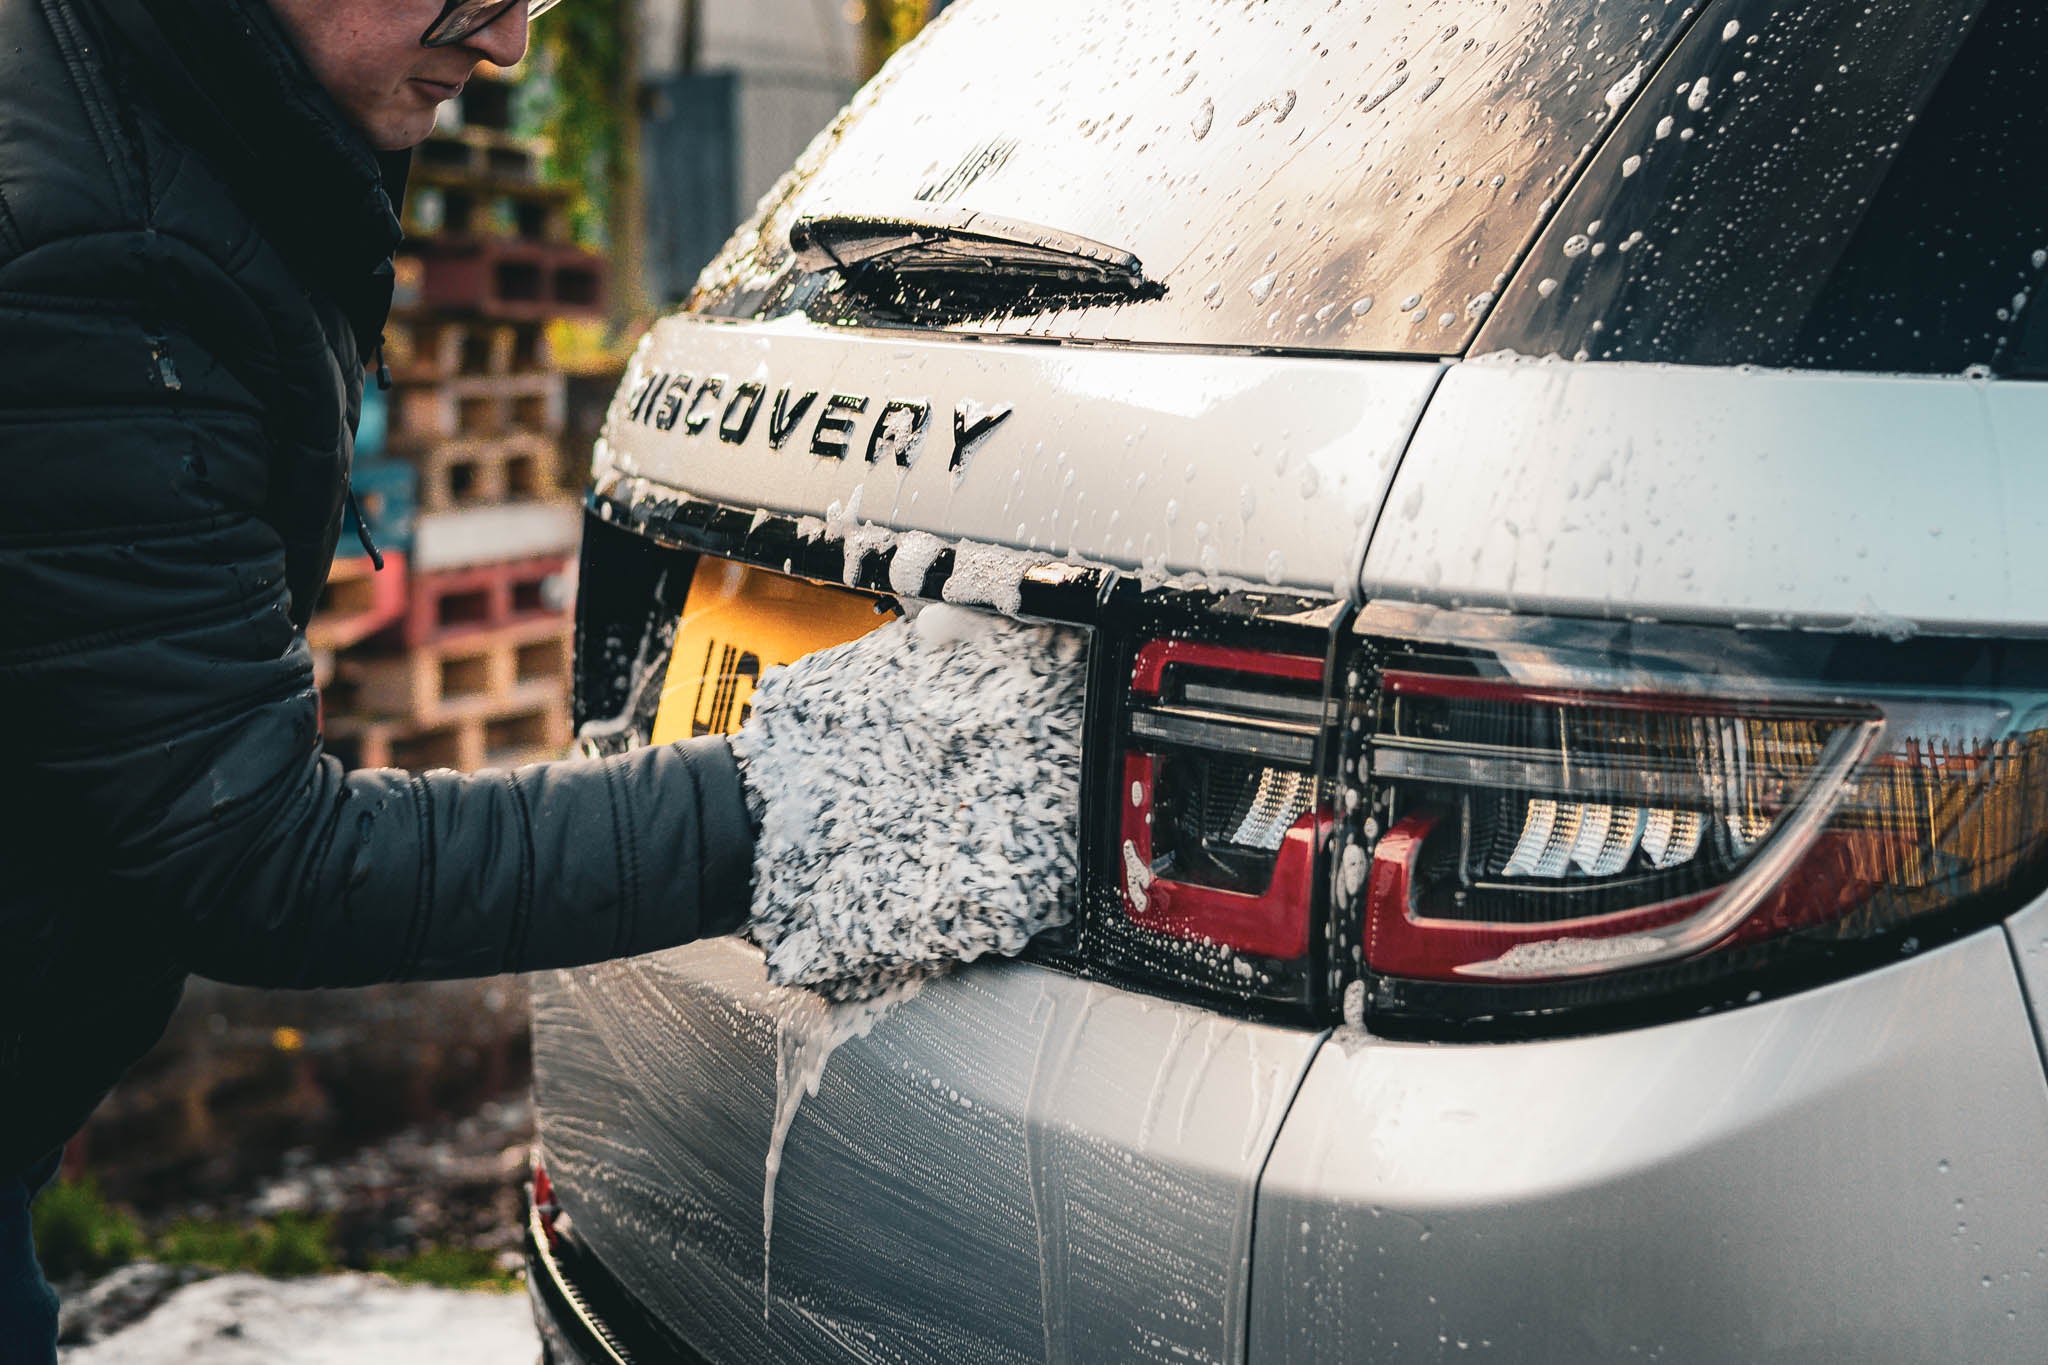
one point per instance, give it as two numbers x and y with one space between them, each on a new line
1025 1168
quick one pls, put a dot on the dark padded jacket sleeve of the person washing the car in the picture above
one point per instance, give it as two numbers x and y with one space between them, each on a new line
161 703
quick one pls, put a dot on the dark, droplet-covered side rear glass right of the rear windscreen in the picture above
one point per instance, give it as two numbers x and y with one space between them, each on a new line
1811 183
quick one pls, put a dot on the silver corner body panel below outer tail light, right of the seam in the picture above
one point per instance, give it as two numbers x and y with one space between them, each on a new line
1842 1176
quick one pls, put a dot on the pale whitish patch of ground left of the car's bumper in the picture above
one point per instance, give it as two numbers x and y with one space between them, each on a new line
327 1321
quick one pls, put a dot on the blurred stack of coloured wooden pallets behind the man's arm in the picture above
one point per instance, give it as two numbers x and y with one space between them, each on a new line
458 654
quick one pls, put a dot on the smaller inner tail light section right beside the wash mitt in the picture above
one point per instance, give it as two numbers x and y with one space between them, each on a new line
1220 809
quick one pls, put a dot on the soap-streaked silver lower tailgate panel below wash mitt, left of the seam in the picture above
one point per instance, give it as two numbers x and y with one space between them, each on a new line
1013 1165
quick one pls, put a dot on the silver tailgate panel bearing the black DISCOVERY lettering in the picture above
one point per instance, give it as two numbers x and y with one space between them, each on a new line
1263 470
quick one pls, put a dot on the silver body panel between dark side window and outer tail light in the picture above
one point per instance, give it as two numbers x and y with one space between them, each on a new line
1676 492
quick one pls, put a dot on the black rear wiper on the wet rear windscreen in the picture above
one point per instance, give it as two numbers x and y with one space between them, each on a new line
929 243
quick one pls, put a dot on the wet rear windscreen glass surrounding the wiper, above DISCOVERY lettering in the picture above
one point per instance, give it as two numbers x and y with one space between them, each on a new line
1353 175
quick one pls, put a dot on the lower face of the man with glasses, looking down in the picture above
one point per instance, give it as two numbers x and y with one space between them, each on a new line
368 56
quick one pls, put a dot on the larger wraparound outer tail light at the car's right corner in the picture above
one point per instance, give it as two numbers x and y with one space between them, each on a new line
1560 811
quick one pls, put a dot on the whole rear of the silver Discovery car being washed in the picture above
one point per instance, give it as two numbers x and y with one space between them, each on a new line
1555 500
